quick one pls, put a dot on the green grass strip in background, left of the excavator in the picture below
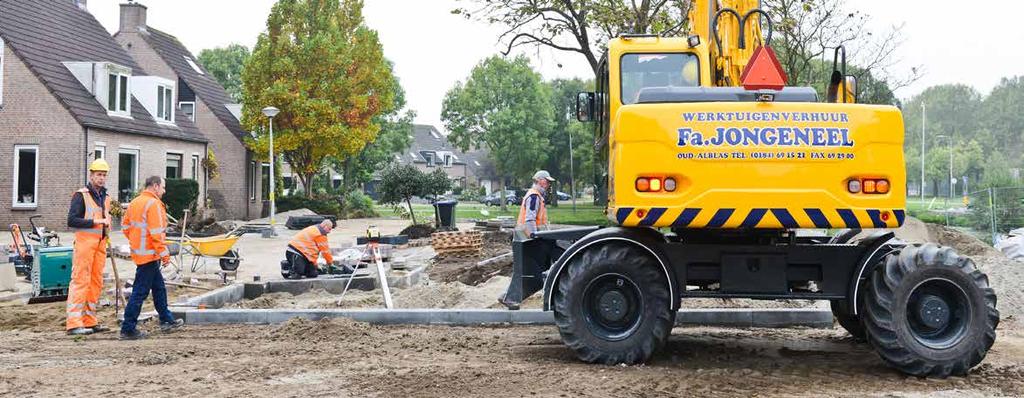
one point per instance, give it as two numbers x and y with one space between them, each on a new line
586 214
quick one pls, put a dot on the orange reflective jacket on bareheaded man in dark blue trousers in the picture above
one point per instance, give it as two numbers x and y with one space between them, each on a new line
146 227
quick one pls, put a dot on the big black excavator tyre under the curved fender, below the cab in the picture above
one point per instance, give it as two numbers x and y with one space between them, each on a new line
613 306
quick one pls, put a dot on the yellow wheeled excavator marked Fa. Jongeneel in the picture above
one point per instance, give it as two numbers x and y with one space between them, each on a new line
723 183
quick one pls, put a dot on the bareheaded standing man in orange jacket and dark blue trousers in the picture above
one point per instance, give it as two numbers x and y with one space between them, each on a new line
146 227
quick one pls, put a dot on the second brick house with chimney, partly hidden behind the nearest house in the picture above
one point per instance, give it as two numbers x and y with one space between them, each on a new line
240 192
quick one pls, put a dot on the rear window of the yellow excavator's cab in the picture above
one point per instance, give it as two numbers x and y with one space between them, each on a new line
645 73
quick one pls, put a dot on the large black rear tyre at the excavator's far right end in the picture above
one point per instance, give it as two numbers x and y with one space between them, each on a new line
930 313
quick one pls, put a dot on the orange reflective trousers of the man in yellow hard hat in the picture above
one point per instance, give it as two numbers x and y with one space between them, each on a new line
87 283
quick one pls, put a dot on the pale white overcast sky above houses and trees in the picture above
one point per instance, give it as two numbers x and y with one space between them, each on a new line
953 41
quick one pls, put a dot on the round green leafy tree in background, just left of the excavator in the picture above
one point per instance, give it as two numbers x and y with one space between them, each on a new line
504 107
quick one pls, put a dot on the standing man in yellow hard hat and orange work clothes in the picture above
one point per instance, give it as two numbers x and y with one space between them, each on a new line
90 217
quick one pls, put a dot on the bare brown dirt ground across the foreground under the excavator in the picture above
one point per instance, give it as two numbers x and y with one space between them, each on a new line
342 359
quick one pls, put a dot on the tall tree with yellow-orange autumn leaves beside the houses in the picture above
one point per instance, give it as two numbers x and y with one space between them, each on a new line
326 71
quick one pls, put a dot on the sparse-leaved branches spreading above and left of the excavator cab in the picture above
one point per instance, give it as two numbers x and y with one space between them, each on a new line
582 27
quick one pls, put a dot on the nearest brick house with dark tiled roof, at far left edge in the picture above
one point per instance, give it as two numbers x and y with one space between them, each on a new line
69 95
